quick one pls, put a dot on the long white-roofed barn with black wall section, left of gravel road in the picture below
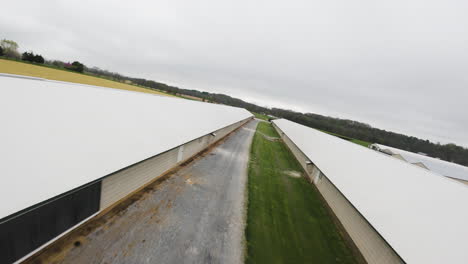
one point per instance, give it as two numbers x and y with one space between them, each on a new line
70 151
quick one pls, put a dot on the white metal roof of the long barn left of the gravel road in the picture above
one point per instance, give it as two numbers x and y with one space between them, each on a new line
56 136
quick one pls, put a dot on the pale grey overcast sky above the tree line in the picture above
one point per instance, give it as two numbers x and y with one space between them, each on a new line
400 65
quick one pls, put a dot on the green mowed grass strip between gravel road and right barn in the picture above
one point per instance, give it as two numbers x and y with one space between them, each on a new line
287 220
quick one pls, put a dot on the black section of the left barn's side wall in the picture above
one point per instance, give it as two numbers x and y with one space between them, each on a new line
22 234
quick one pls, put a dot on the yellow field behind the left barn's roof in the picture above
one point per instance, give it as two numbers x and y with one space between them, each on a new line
13 67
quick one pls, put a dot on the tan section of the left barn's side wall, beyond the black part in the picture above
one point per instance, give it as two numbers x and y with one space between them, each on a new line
117 186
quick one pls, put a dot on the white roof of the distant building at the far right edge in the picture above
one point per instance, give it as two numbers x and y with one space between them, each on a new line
441 167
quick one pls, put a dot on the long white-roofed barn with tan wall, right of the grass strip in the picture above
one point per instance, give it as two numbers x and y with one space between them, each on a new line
394 212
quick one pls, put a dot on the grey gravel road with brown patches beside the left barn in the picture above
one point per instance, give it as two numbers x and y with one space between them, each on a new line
195 216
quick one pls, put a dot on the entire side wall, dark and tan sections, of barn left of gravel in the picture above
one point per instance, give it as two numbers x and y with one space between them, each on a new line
26 231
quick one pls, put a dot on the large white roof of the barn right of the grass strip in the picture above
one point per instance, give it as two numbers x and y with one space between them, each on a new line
421 215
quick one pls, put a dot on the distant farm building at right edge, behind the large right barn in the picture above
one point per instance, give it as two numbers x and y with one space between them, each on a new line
454 171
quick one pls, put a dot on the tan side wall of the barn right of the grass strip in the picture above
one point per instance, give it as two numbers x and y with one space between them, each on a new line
372 246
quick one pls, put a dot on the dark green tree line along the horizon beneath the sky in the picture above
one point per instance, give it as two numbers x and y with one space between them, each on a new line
349 128
